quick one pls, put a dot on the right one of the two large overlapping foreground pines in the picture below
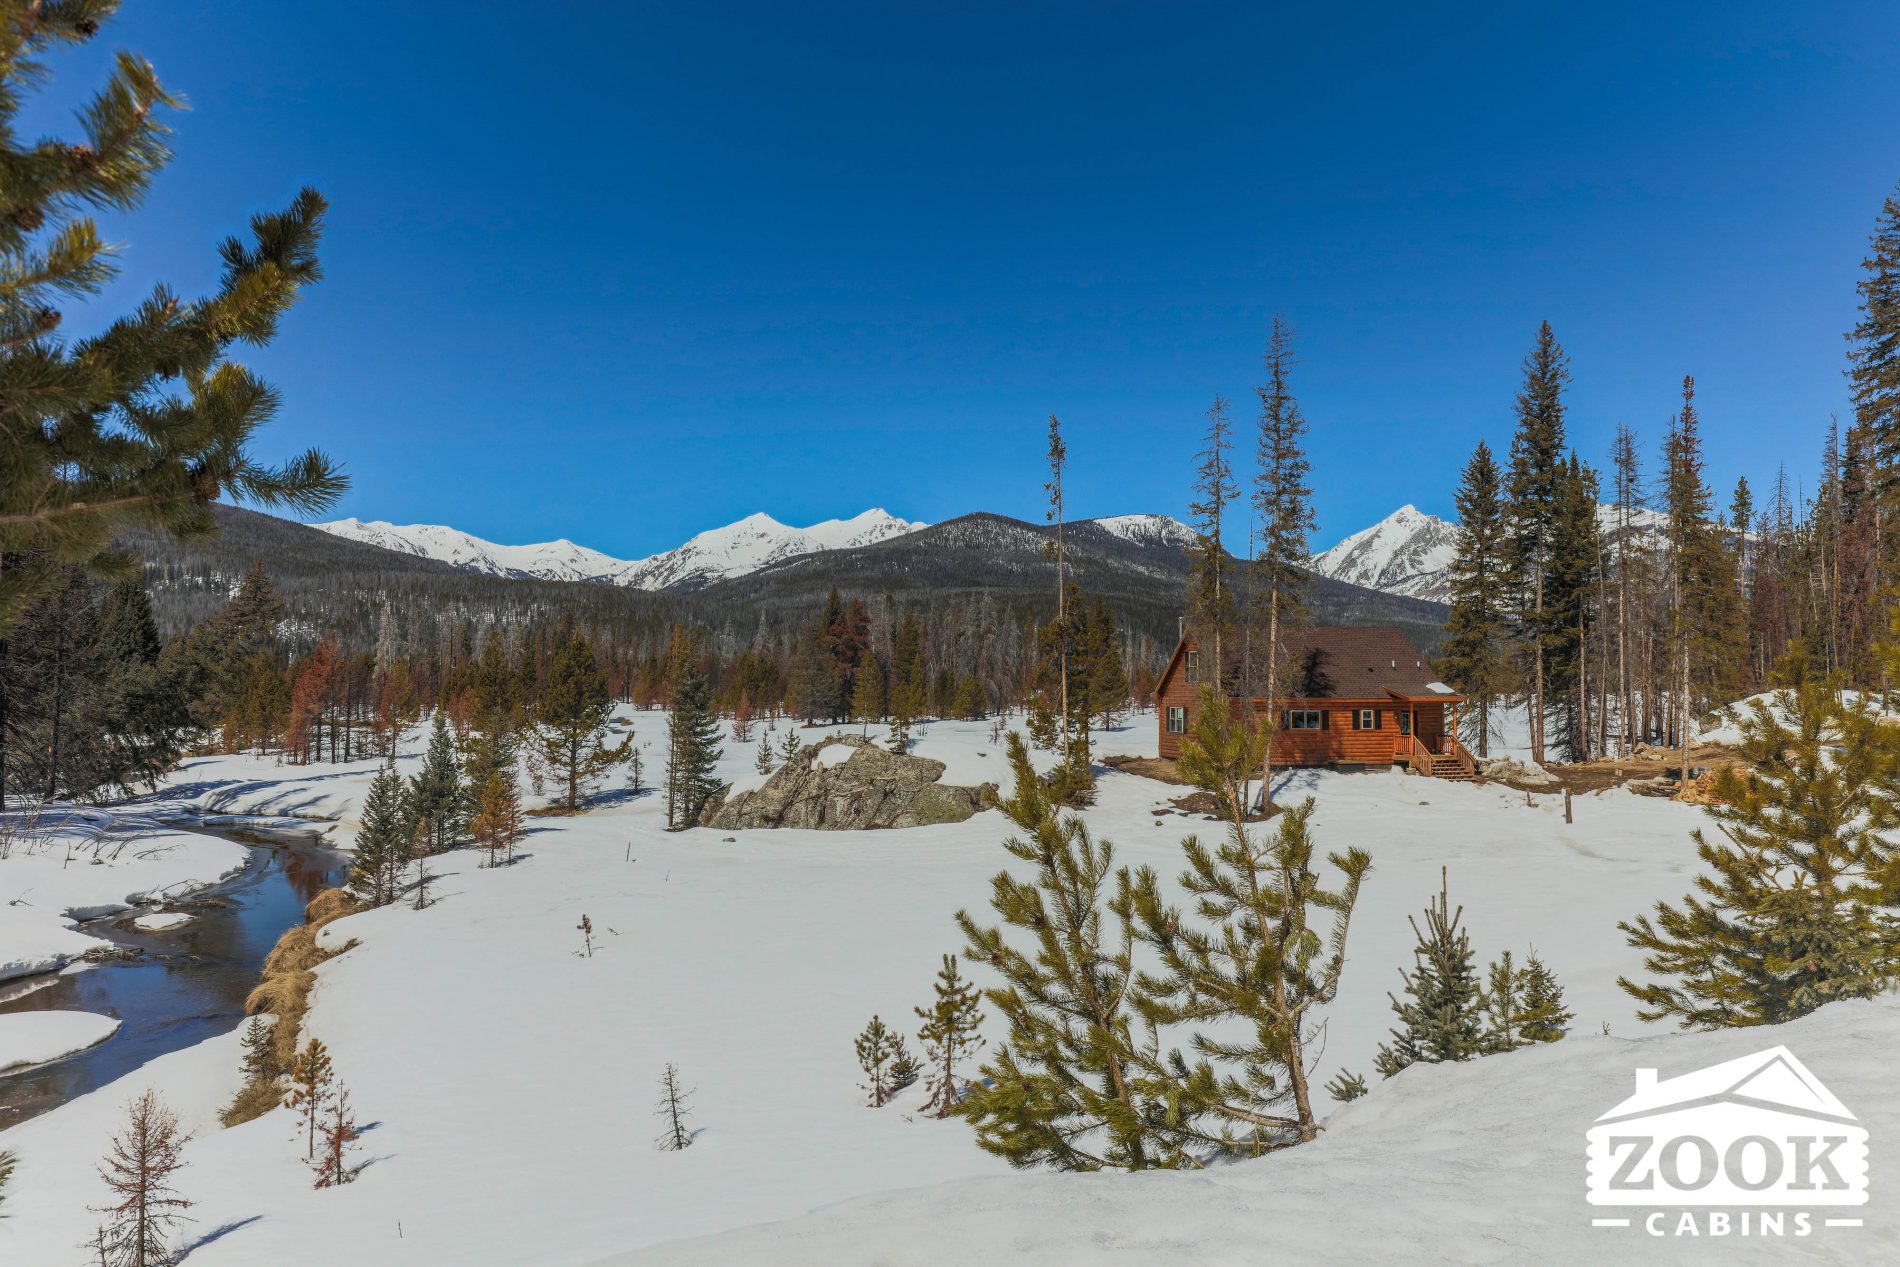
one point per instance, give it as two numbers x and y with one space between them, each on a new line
1255 968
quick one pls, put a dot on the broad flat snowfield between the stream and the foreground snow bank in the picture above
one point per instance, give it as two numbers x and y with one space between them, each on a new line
510 1082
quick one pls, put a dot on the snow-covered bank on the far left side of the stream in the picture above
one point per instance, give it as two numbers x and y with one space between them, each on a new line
88 863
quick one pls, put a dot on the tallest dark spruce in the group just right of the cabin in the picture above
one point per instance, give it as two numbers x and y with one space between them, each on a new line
1532 523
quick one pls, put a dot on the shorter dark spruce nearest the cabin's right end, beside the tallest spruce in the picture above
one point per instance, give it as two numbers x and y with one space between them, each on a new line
1477 633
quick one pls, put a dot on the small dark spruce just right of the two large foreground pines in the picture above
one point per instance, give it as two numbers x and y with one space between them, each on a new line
1443 1013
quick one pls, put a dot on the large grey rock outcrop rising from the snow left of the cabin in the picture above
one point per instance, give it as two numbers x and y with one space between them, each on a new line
864 787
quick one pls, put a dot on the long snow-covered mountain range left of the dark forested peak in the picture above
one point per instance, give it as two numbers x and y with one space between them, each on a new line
713 556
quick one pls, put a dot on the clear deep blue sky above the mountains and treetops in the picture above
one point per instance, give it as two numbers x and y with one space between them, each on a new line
628 273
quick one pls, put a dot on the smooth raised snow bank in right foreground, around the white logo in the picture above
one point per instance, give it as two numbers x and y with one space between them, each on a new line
1473 1163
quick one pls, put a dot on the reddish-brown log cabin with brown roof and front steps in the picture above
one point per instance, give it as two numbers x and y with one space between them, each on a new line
1356 698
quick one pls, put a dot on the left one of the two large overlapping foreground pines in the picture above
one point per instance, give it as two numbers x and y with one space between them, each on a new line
1061 1089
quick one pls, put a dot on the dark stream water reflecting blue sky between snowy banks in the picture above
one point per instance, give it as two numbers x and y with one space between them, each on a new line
189 987
